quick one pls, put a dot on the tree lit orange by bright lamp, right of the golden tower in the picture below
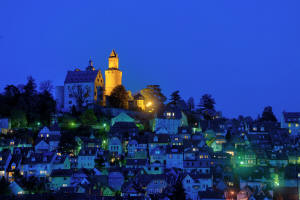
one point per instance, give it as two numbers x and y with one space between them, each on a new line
154 98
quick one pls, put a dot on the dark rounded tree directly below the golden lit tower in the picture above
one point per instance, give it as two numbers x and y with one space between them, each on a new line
119 97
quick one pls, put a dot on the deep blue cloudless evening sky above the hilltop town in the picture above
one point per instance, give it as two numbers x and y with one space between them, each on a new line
246 53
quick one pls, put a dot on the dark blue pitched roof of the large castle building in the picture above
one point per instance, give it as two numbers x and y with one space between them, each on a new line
81 76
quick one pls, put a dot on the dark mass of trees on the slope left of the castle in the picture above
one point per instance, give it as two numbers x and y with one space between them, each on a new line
26 105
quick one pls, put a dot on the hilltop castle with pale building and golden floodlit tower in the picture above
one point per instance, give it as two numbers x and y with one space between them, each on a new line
88 87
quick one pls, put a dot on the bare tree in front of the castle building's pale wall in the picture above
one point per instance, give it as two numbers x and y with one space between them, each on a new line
80 94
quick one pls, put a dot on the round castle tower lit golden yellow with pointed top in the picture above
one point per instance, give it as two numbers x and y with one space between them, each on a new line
113 76
